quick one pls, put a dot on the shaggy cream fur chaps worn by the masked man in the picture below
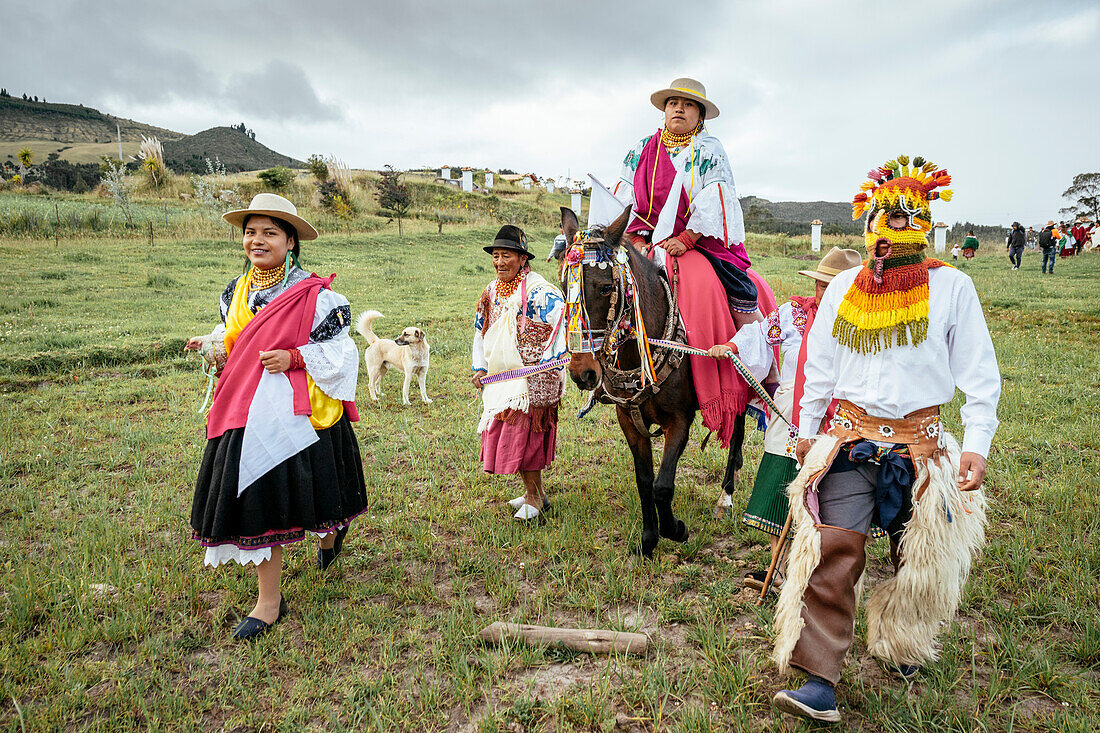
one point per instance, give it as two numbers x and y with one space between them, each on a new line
905 614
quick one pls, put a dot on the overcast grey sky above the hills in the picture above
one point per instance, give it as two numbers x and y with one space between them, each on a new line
812 94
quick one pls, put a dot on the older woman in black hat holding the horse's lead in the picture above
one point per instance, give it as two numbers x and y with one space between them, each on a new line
519 324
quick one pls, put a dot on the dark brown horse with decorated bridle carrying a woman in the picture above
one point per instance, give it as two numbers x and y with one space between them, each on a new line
672 403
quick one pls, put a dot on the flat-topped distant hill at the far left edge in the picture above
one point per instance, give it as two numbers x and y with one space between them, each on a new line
21 119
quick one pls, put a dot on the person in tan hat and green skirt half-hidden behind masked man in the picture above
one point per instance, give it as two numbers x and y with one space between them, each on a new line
764 344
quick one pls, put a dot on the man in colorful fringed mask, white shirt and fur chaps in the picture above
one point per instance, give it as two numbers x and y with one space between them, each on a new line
895 338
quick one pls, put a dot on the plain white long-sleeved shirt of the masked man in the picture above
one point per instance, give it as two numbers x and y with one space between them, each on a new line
958 353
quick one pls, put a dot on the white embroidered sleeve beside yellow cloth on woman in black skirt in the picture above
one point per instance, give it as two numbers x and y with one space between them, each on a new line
333 360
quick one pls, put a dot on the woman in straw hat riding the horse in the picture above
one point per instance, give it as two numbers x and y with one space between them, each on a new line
687 216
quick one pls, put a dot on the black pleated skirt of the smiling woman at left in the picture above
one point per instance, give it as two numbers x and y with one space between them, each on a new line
318 490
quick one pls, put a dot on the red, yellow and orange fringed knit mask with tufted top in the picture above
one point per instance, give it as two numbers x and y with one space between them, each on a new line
888 303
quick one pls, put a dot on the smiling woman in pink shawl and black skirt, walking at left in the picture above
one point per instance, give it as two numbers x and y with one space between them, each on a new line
281 457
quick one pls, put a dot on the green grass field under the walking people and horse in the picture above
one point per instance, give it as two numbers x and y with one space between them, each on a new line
109 621
